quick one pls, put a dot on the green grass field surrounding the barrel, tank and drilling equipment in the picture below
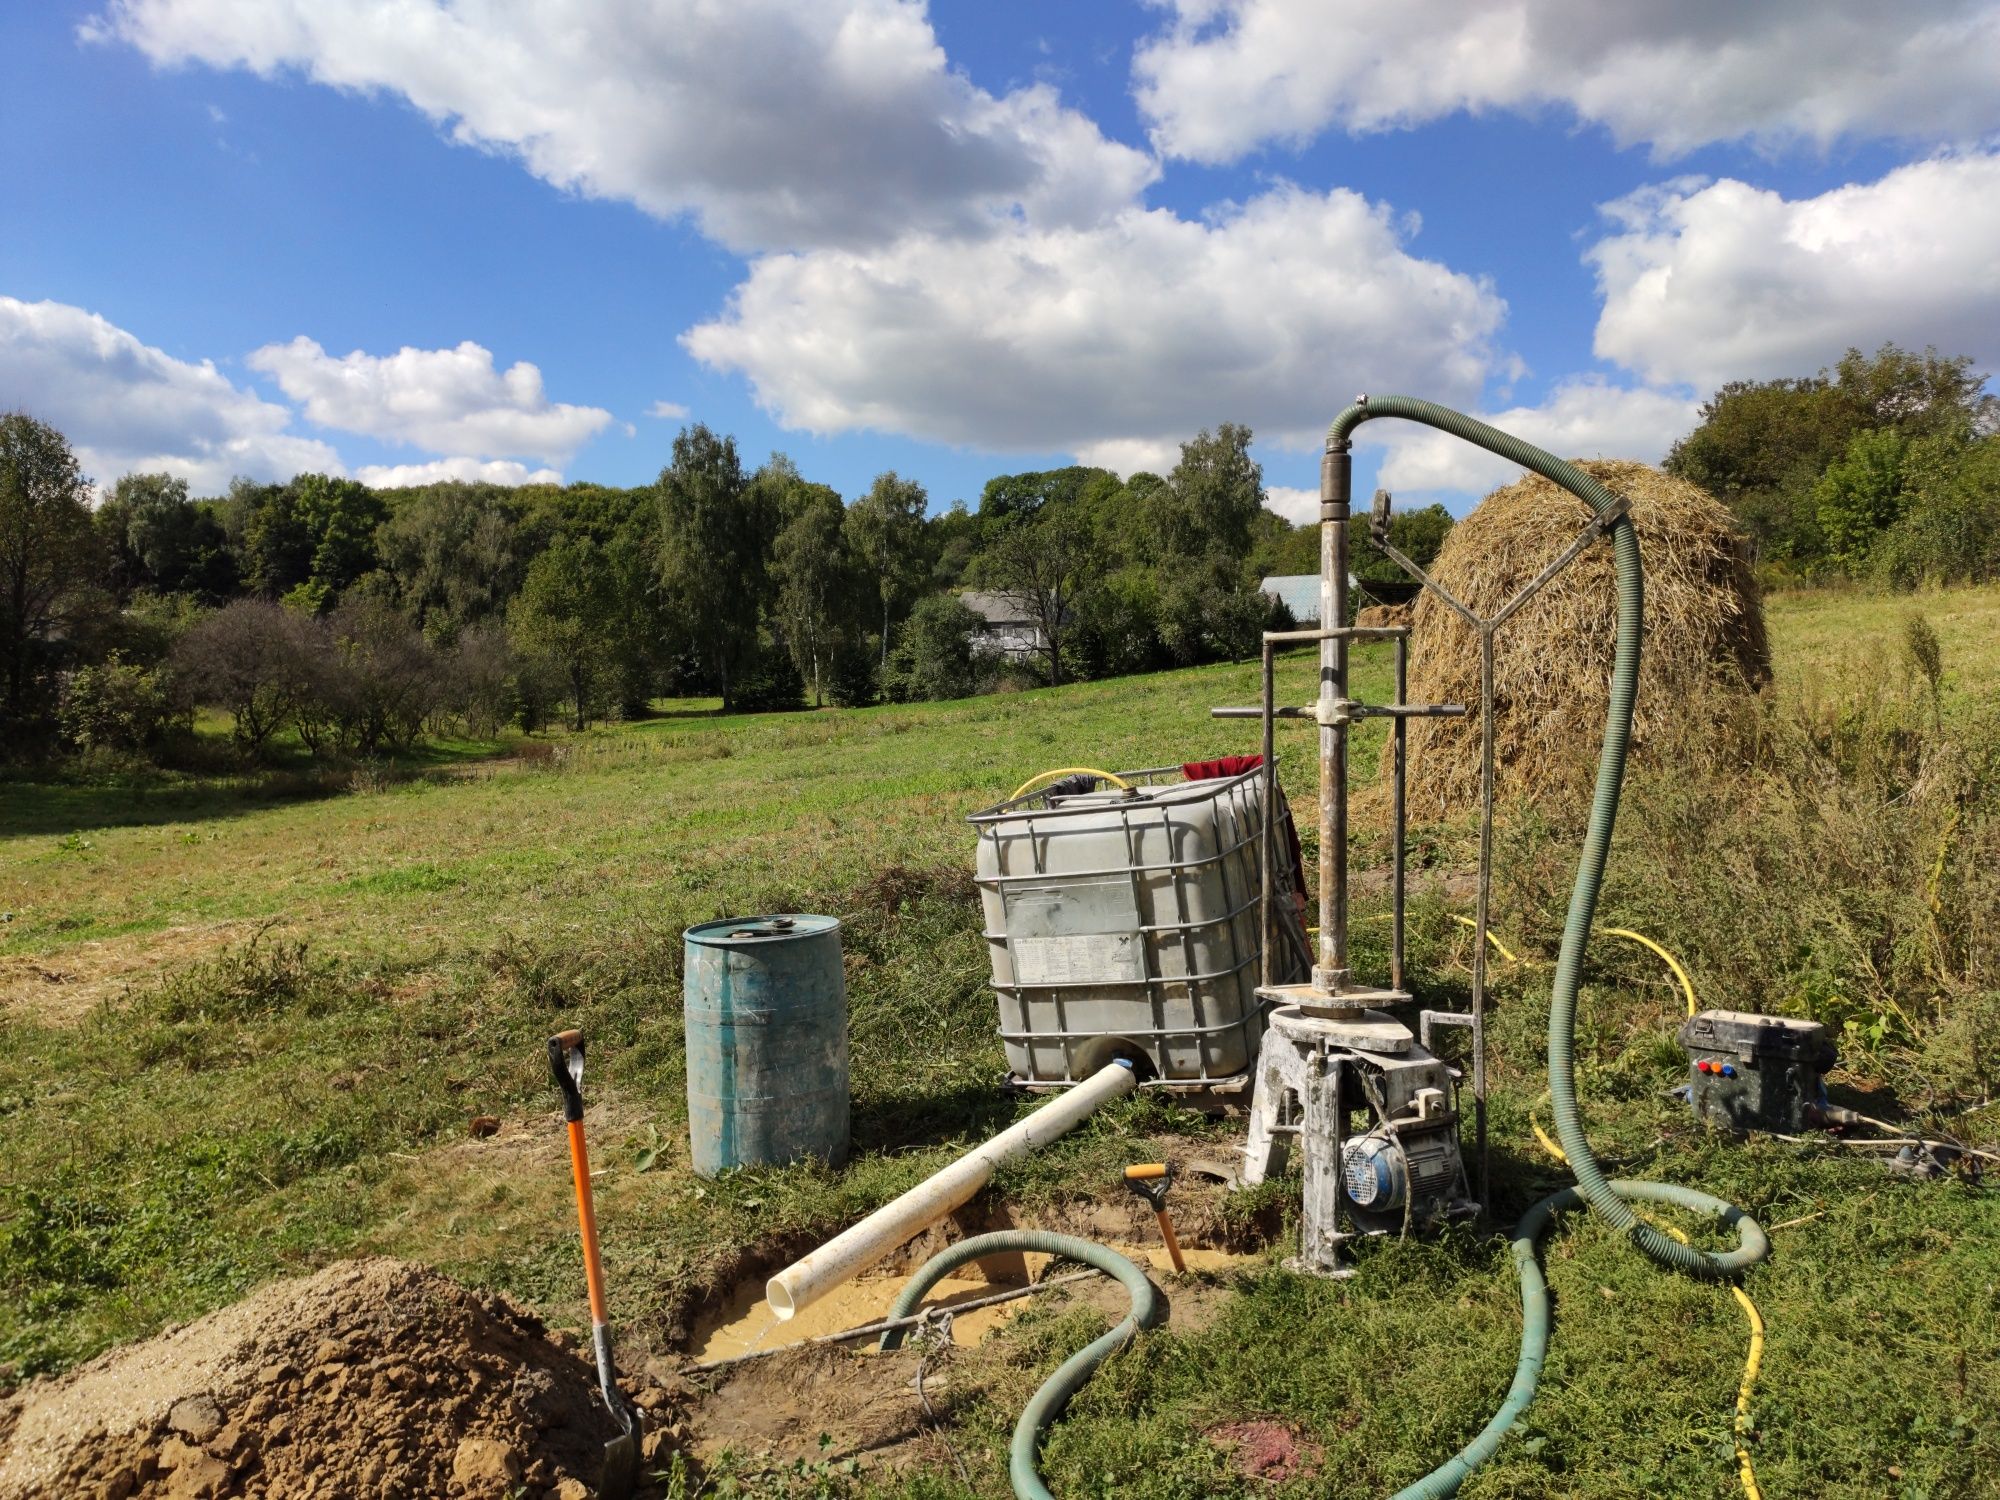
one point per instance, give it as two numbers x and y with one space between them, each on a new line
245 1023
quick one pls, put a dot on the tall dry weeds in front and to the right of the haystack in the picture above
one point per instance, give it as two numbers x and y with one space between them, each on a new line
1811 855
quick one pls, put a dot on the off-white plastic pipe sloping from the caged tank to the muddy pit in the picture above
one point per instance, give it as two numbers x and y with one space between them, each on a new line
857 1249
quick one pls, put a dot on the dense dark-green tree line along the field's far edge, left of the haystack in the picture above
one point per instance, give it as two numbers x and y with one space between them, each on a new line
357 621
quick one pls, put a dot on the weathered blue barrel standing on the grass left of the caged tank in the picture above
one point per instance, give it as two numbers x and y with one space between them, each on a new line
767 1009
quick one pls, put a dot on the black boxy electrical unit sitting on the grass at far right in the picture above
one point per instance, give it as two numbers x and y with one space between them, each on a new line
1755 1073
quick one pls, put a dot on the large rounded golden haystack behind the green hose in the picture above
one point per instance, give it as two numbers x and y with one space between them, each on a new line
1553 661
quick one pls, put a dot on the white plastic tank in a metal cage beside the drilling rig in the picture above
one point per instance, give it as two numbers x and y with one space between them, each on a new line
1125 923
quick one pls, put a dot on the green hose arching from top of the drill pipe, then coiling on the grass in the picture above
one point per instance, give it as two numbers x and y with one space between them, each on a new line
1607 1199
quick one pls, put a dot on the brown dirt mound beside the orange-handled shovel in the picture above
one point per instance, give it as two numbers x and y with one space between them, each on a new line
371 1379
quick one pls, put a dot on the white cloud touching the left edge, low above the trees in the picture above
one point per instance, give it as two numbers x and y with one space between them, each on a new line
129 407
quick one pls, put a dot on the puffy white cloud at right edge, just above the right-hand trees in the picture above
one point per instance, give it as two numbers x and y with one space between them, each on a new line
1723 281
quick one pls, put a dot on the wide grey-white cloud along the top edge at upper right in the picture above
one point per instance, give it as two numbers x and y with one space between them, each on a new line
1231 75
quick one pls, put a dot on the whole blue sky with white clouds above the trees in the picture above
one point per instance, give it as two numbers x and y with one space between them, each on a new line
407 239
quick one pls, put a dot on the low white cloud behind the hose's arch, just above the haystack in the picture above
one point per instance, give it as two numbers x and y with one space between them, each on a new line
1581 419
